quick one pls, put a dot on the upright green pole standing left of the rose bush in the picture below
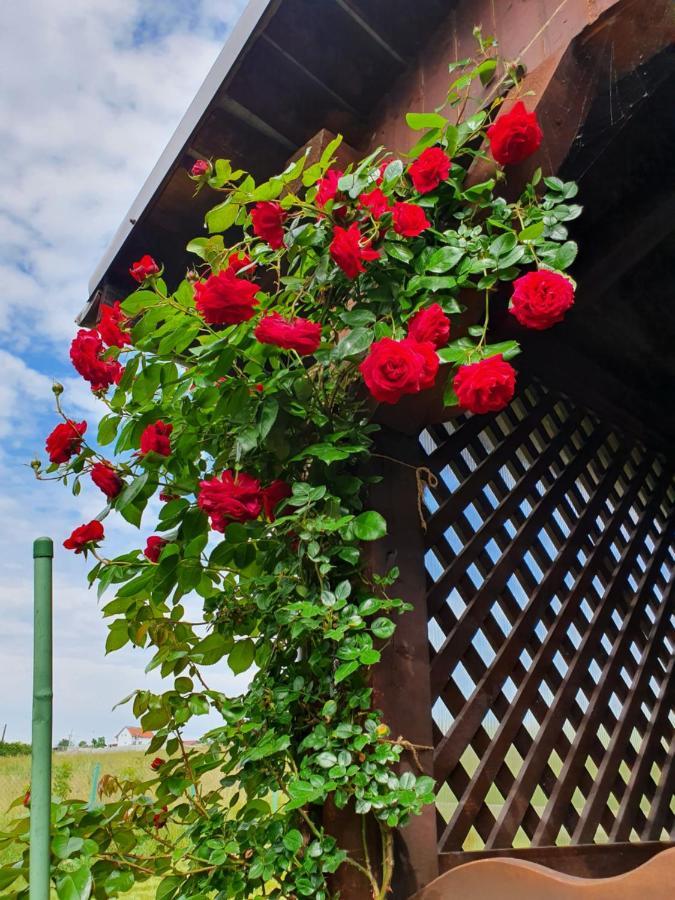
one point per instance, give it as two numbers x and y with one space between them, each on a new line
41 761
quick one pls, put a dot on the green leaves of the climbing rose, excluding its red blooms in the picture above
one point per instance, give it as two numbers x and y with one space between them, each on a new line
283 597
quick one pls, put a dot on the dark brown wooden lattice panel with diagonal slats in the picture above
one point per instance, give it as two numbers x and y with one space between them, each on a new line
551 629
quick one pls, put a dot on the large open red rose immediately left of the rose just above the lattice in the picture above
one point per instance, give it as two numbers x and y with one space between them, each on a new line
394 368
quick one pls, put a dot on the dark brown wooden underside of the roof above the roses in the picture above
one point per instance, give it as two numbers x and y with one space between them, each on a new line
293 67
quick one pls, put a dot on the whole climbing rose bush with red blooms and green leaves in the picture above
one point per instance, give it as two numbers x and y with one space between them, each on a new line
241 415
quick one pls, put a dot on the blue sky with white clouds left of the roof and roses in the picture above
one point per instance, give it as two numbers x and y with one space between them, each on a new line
91 92
